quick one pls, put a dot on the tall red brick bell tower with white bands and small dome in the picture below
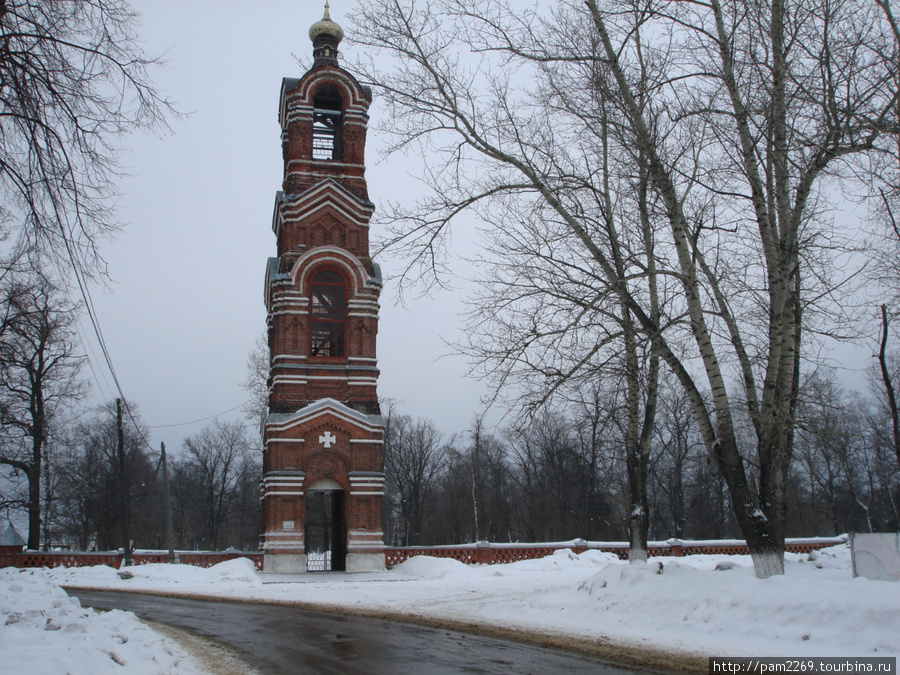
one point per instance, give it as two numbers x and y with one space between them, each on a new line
322 471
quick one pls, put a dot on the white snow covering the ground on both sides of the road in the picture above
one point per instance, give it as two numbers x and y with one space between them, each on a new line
710 605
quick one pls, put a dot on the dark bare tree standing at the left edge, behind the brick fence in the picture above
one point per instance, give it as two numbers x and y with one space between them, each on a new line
39 365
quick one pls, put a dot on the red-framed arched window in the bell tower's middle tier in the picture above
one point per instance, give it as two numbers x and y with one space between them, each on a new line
328 314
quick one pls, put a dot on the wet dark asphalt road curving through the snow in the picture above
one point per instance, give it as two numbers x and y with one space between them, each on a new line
278 639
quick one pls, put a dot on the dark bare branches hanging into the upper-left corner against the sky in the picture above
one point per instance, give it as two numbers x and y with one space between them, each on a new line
73 79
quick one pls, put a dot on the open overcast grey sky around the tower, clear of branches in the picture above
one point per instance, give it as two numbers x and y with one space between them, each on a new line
187 300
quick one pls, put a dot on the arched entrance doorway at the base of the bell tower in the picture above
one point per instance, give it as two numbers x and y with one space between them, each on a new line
326 533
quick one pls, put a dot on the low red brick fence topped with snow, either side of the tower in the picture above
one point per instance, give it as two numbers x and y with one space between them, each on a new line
485 553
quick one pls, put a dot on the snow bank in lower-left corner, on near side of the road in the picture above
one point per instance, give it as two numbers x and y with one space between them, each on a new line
43 630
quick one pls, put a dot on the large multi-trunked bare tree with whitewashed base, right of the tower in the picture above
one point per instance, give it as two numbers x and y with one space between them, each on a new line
740 115
